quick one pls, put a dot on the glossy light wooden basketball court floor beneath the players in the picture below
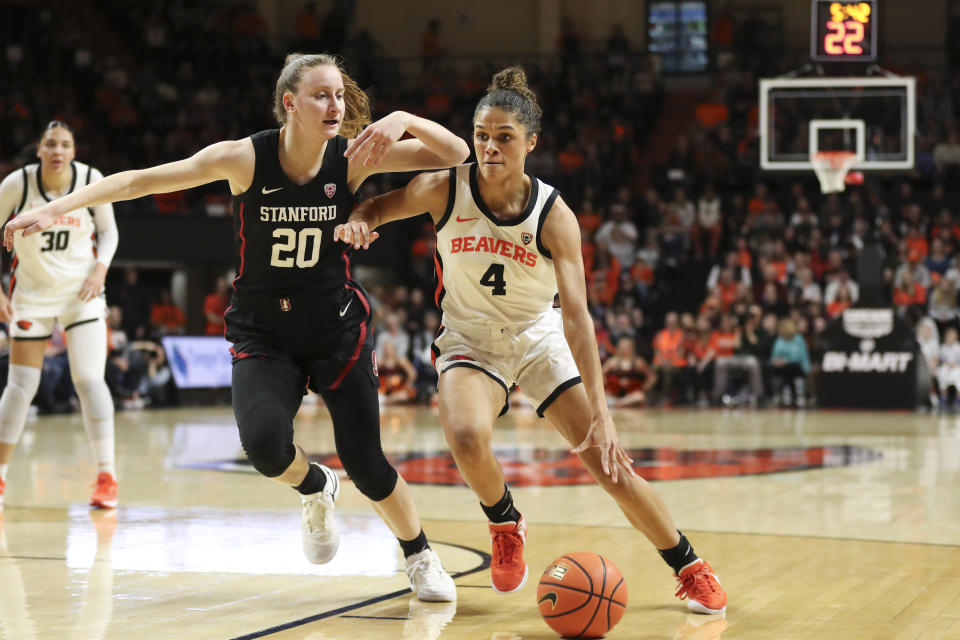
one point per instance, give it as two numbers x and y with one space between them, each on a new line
820 525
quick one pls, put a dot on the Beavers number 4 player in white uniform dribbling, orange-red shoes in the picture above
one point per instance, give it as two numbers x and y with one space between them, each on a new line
506 243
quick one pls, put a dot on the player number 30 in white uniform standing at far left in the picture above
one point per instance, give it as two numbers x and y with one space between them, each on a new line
58 275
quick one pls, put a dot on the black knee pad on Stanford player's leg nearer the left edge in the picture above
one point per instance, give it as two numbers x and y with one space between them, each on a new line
267 437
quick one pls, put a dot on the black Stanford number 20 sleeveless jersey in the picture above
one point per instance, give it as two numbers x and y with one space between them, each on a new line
284 231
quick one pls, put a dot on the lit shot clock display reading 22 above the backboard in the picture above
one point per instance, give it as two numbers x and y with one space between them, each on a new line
843 31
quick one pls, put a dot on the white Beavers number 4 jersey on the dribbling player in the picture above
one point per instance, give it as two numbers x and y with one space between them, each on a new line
490 269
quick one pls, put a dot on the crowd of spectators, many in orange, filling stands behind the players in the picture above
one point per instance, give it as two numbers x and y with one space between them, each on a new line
709 282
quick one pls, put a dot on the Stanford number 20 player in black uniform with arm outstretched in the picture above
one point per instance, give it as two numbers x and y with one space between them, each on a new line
297 318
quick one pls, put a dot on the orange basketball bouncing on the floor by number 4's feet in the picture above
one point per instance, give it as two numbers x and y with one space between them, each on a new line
582 595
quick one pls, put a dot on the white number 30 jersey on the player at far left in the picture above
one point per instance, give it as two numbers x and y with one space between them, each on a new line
52 265
